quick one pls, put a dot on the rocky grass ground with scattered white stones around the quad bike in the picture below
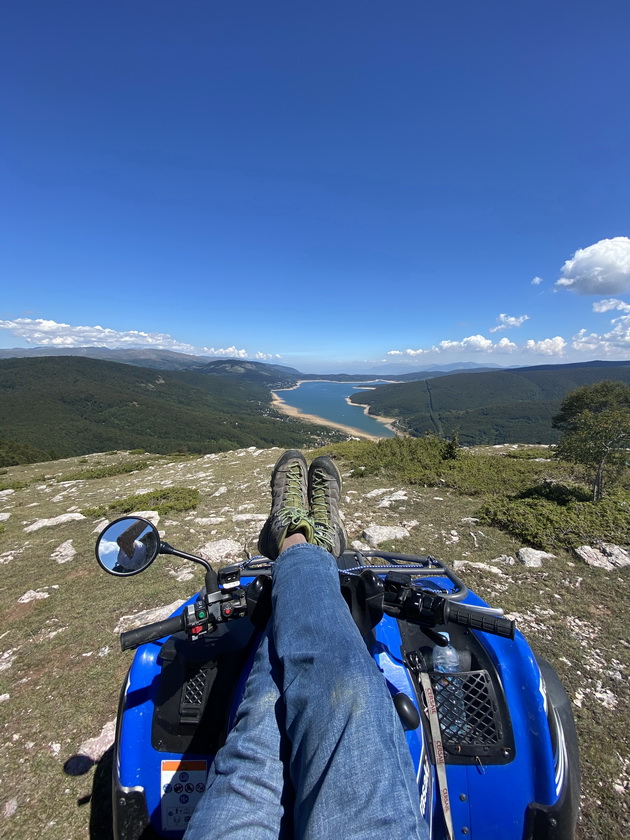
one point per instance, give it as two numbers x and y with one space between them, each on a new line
61 669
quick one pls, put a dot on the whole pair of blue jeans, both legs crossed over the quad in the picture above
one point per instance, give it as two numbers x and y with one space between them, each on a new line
317 750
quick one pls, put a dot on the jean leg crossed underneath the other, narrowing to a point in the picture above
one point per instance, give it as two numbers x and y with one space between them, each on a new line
246 794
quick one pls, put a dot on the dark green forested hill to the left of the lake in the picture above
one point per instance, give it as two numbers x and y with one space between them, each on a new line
73 406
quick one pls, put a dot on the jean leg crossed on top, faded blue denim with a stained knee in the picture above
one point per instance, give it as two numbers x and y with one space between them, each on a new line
350 765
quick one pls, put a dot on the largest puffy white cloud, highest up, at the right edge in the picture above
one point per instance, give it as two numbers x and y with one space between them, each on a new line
600 269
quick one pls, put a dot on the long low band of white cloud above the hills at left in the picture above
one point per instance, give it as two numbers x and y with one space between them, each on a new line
46 333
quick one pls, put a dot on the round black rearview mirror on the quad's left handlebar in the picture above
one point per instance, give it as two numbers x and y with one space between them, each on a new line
128 546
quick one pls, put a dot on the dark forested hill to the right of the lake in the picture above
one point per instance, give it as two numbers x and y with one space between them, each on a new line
503 406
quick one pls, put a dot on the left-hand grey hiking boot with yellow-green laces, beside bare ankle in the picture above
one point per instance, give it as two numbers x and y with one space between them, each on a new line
289 505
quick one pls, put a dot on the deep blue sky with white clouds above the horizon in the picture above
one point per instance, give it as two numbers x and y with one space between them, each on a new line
327 185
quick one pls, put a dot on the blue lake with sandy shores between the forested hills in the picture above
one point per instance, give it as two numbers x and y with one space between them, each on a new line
327 400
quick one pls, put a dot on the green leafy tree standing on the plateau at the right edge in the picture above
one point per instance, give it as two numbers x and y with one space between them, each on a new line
596 424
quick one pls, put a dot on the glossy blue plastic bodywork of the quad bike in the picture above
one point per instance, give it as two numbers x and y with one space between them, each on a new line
488 802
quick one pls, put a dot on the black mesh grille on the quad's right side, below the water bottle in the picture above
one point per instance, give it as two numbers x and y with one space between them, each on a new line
468 712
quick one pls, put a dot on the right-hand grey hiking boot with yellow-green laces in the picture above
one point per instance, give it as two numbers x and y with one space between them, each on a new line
324 490
